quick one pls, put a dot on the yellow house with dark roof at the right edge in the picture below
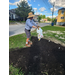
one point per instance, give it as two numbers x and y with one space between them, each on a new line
61 17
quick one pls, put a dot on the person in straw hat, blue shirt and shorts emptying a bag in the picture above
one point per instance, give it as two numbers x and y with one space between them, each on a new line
29 24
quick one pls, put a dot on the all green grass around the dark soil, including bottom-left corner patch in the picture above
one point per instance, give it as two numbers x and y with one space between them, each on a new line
18 41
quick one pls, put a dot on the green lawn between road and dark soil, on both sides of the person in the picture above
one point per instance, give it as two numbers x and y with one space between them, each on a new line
18 41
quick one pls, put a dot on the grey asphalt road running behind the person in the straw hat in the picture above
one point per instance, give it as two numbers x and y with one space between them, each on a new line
18 29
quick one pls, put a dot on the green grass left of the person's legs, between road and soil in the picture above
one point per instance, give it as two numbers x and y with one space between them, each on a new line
17 41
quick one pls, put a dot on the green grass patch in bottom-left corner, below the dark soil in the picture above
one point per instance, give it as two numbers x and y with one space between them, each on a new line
14 71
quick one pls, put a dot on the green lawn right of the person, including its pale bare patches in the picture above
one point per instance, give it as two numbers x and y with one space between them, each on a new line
53 32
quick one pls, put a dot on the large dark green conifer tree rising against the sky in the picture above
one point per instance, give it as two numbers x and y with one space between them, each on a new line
23 9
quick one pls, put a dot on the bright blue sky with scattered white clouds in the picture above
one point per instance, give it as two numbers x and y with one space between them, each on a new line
44 7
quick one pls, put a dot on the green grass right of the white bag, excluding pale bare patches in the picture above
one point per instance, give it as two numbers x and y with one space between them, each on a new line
55 28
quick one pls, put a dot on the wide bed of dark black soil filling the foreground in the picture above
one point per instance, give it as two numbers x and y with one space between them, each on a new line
42 58
